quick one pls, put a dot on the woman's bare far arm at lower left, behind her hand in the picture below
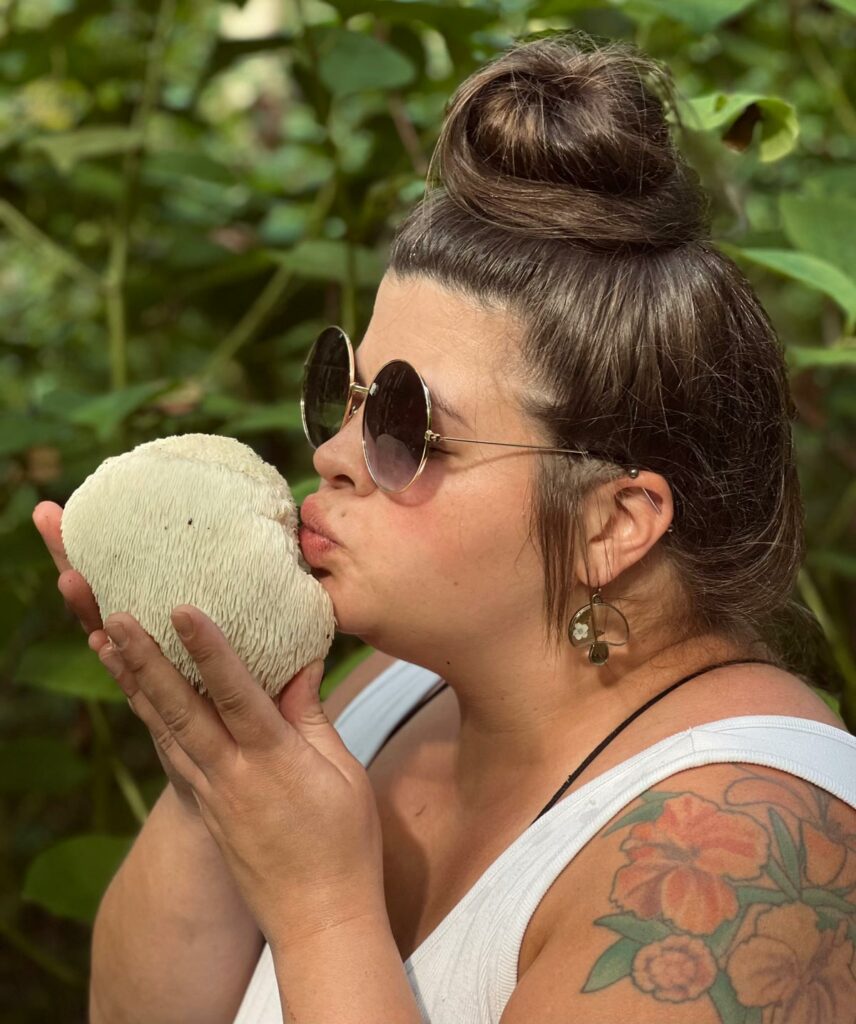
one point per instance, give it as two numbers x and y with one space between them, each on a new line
174 942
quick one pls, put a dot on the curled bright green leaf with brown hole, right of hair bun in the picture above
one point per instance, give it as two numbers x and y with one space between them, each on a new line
719 111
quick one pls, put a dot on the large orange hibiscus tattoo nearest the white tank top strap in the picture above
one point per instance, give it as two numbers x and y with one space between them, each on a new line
680 864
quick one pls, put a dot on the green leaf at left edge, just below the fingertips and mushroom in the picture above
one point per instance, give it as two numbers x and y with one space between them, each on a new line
68 668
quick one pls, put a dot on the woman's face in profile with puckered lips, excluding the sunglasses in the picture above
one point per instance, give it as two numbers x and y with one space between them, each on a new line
448 562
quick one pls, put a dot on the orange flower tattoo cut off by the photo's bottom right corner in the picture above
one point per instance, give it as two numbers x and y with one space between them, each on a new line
794 980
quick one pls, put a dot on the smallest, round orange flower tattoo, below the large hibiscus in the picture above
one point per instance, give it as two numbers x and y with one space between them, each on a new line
677 969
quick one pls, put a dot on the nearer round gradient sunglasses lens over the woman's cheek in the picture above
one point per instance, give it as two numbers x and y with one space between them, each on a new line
396 420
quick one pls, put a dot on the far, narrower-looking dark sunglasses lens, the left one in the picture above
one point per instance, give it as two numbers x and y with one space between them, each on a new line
325 390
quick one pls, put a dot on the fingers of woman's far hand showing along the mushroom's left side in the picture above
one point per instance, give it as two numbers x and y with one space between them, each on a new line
81 603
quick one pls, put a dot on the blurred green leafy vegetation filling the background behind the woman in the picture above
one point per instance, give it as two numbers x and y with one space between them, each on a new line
190 192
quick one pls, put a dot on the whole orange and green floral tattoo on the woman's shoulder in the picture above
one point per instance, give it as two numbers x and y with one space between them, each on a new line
750 904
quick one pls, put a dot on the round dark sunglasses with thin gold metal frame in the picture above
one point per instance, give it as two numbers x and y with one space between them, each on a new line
397 423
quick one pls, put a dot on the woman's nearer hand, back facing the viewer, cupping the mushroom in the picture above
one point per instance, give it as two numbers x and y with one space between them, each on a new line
291 809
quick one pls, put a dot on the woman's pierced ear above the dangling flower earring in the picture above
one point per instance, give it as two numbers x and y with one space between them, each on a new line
622 522
